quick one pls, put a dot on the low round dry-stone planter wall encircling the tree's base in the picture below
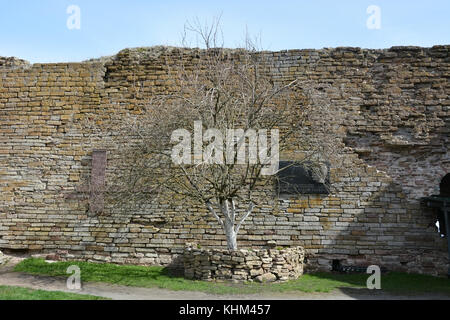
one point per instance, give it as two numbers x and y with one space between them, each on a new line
262 265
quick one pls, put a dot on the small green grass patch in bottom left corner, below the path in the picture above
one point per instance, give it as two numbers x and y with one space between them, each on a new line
18 293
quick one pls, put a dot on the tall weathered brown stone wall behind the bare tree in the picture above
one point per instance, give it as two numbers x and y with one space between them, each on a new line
391 116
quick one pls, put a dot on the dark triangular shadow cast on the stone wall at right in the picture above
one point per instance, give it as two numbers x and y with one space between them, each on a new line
387 230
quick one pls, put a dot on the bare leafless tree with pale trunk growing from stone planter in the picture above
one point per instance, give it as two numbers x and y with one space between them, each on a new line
225 89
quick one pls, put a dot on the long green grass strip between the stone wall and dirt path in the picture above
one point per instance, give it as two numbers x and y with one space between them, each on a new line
141 276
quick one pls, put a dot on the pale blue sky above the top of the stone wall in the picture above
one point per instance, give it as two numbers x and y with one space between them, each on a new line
52 31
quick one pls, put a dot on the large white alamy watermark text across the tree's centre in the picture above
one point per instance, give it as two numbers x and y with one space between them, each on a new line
228 147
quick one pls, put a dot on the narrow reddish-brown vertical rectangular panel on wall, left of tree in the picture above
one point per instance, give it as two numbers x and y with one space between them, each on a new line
98 179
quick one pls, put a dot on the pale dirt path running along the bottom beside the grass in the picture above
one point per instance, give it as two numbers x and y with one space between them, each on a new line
119 292
